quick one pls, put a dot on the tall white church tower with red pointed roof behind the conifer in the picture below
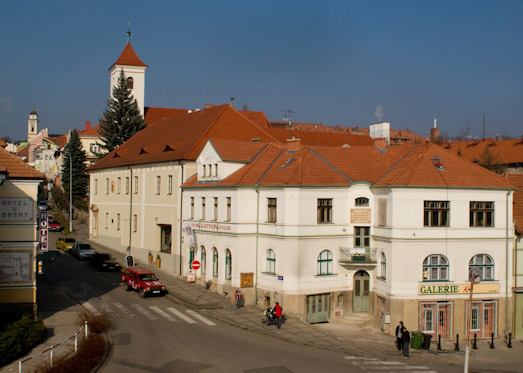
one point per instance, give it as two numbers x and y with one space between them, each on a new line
134 71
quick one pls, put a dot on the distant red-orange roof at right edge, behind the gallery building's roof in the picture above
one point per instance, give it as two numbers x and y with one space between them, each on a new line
508 151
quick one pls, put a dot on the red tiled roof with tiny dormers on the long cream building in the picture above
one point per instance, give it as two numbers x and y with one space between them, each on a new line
183 137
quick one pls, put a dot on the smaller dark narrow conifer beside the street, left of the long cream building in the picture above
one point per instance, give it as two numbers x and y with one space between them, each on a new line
75 152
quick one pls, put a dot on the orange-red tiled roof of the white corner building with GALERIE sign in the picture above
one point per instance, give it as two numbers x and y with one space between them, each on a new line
330 166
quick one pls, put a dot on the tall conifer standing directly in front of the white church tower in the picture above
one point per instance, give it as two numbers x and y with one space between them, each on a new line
121 119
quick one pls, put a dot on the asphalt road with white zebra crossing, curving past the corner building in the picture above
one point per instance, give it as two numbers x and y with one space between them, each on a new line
156 335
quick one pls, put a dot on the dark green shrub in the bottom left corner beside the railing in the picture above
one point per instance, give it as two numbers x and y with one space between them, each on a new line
20 337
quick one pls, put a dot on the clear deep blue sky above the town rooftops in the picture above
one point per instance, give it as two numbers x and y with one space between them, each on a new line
347 63
